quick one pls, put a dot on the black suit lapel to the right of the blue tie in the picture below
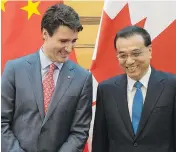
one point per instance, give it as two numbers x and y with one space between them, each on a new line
155 88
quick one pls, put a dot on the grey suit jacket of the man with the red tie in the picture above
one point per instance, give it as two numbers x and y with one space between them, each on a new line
25 127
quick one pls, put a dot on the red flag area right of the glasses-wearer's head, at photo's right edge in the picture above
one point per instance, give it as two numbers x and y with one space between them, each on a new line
164 54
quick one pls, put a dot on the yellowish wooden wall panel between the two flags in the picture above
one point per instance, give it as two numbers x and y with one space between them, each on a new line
90 13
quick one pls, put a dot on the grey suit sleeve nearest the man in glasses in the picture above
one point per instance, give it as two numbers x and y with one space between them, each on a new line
81 123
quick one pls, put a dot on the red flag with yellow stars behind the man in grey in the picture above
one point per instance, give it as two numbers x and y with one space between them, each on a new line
21 34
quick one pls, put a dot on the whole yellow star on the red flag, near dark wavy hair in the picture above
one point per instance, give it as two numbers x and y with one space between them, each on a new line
31 8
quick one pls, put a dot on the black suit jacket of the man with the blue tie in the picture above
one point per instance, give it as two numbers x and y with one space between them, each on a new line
157 128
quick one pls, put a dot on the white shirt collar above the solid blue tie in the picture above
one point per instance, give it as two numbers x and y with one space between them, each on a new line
144 80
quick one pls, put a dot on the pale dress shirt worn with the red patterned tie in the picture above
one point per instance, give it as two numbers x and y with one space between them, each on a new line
45 63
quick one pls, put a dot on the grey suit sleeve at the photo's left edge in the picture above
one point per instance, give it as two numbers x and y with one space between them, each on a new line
9 141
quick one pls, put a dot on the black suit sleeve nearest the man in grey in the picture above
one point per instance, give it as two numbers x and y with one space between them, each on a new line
100 134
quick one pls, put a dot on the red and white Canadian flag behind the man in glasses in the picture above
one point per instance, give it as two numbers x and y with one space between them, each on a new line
157 17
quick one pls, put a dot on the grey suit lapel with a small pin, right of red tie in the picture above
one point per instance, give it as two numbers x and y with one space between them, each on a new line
65 78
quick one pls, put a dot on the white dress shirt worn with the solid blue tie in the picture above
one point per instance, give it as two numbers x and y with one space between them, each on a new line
131 90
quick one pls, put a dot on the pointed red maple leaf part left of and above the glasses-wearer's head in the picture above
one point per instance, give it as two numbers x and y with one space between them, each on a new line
106 64
